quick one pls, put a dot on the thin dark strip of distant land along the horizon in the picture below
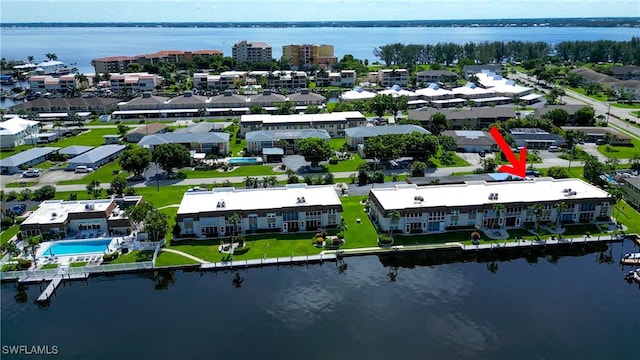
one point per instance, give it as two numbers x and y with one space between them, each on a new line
630 22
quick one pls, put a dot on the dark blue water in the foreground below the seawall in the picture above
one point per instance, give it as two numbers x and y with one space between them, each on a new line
553 307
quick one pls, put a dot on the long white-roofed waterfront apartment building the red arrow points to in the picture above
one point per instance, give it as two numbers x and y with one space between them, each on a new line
442 208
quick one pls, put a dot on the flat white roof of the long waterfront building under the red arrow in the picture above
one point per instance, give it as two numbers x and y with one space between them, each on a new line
477 193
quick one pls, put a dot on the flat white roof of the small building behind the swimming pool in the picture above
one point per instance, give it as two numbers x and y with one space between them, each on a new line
44 214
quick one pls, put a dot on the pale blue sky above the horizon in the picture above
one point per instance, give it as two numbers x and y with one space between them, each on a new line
303 10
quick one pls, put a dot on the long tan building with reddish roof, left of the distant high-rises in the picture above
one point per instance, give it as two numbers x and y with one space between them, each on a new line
119 64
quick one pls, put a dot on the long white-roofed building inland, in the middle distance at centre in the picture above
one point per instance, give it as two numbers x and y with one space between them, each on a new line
334 123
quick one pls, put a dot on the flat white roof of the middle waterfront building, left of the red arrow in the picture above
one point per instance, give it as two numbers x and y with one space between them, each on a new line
258 199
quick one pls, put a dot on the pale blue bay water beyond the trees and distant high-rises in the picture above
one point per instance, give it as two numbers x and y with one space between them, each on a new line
80 45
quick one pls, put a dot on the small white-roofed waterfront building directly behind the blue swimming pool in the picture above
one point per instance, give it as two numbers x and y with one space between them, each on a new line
80 219
